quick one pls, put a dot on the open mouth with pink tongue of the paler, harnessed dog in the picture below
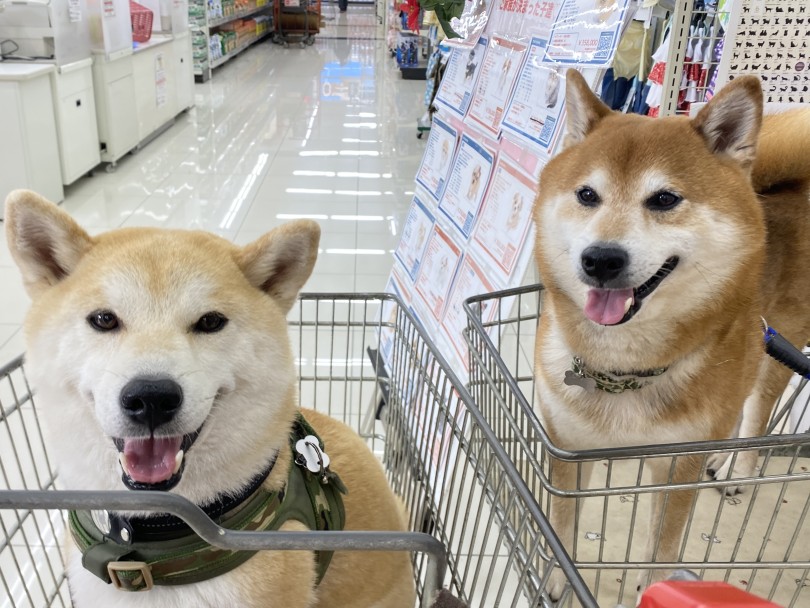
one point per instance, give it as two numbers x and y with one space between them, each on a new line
153 463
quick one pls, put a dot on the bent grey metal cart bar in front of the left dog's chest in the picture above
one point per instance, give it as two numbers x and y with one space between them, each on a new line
239 540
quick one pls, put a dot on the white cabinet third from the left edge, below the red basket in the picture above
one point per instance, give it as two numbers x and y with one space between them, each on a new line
115 104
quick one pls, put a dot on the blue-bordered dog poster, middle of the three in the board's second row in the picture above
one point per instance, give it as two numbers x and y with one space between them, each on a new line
467 184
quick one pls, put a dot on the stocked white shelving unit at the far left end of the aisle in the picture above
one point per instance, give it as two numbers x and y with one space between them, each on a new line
203 26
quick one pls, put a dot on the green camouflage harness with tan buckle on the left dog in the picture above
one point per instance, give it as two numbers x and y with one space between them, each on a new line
313 499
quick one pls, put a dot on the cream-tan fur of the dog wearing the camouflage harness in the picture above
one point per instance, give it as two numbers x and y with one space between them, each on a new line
238 385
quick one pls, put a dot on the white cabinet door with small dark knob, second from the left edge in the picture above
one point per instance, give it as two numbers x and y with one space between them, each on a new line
75 109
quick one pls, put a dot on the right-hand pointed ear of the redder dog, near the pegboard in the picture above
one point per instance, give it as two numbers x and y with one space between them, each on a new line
730 122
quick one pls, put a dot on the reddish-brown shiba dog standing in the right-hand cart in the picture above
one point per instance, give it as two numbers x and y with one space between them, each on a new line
661 243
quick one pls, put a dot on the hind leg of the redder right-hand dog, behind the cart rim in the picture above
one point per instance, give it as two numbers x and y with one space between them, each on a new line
771 381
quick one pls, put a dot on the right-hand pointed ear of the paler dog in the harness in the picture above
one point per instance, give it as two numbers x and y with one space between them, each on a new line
281 261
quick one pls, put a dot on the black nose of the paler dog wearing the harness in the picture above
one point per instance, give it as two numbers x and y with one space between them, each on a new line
151 401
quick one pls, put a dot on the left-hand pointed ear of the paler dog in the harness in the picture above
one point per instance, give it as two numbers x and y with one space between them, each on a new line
45 242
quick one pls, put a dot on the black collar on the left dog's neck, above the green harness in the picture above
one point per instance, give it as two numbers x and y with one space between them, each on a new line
125 530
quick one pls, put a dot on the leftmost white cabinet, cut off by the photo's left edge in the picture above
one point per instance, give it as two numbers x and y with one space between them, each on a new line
29 156
